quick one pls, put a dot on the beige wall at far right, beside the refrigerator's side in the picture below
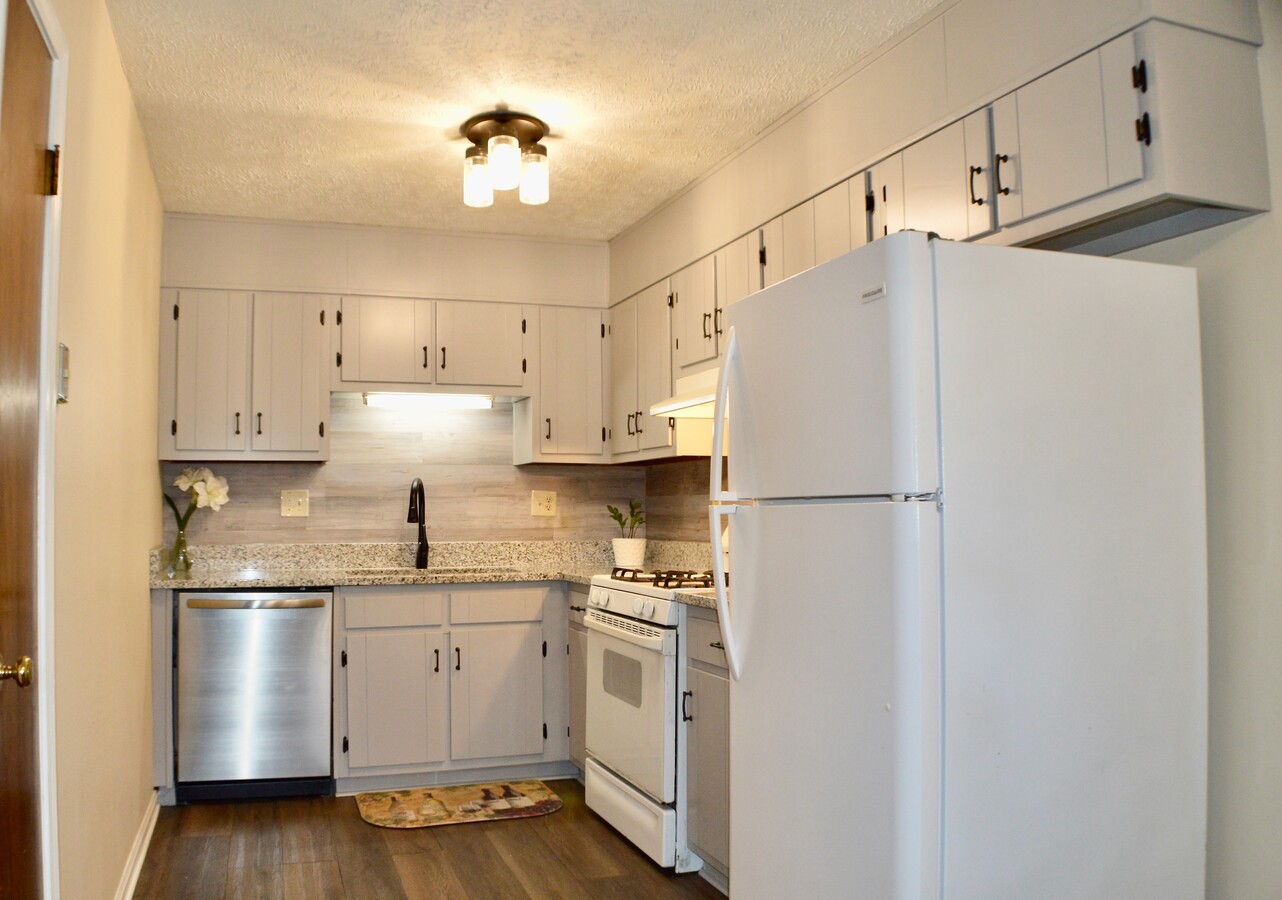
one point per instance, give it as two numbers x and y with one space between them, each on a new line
1240 284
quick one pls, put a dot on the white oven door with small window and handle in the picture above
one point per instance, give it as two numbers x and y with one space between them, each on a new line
633 702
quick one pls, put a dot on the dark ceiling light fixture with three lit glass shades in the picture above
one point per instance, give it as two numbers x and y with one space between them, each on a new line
506 154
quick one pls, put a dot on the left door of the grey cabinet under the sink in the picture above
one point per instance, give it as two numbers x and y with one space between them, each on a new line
397 698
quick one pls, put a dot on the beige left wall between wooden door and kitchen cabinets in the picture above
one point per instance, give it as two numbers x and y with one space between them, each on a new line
107 494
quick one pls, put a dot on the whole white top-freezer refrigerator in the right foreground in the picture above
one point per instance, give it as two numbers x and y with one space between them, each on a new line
967 622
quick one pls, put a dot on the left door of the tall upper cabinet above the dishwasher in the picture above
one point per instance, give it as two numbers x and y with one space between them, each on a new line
212 379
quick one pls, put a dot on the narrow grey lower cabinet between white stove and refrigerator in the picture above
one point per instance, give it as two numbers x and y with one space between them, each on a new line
708 743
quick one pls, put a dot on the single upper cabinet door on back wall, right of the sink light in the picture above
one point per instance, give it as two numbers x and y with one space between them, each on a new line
571 380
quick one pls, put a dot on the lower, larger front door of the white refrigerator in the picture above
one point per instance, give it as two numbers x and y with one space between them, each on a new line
835 715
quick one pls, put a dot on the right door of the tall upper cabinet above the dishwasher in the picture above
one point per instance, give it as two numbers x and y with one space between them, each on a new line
292 403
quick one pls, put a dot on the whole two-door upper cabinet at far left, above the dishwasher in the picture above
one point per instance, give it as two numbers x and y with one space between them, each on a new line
243 376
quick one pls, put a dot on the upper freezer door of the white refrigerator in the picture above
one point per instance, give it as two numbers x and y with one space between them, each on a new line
834 389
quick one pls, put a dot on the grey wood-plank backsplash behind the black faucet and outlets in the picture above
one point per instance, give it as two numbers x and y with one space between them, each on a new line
474 492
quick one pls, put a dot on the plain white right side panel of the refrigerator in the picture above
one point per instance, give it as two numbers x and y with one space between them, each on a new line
1075 578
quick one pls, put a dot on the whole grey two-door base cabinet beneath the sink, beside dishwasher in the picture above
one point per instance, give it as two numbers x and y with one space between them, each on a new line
449 678
